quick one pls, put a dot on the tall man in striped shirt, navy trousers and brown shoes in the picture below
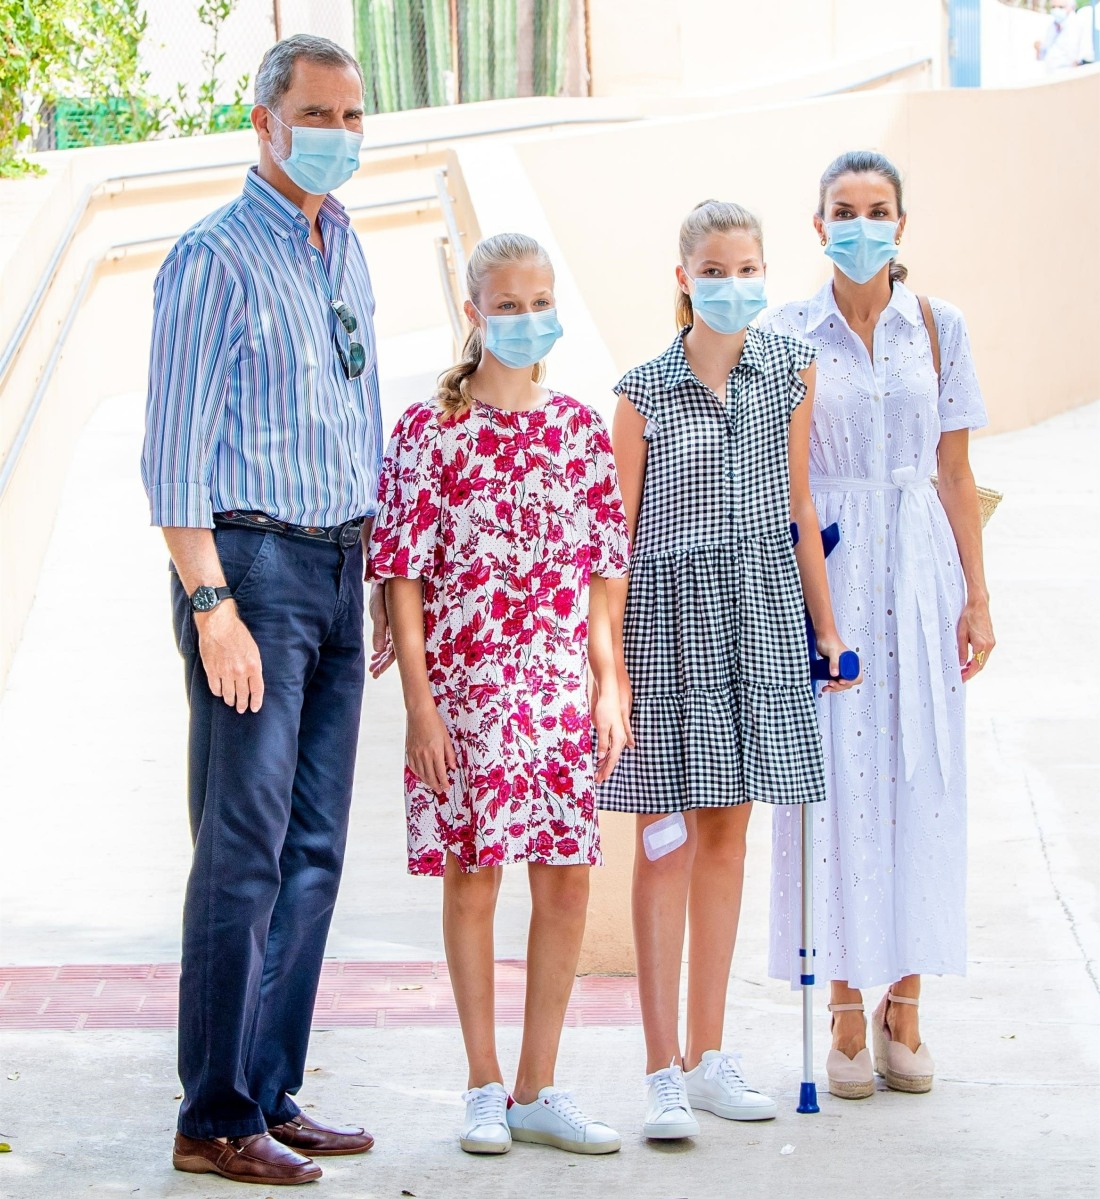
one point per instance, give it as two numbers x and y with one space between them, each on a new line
262 456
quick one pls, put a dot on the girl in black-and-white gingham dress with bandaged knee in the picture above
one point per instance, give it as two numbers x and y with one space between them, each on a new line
712 443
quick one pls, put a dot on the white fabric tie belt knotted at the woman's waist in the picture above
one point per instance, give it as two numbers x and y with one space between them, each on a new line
919 634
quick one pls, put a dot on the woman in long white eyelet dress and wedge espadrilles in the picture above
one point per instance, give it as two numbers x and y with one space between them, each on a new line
907 581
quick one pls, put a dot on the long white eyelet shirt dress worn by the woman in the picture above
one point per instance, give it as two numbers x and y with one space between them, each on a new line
889 843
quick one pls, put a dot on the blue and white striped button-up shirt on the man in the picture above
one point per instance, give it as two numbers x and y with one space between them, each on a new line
249 405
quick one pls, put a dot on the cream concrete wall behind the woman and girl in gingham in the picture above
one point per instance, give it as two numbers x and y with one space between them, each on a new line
988 174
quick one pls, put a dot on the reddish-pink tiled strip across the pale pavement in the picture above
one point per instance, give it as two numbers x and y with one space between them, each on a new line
352 995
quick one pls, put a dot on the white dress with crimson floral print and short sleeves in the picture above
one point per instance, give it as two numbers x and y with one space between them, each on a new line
504 516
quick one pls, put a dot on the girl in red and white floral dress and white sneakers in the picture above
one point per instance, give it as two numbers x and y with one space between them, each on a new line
500 520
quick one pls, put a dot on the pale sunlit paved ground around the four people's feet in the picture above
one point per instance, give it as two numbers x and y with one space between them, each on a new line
94 853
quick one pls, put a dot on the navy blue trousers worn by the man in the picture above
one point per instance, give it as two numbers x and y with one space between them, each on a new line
269 798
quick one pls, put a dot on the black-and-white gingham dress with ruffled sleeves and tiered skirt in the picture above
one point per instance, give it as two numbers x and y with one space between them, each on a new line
714 635
